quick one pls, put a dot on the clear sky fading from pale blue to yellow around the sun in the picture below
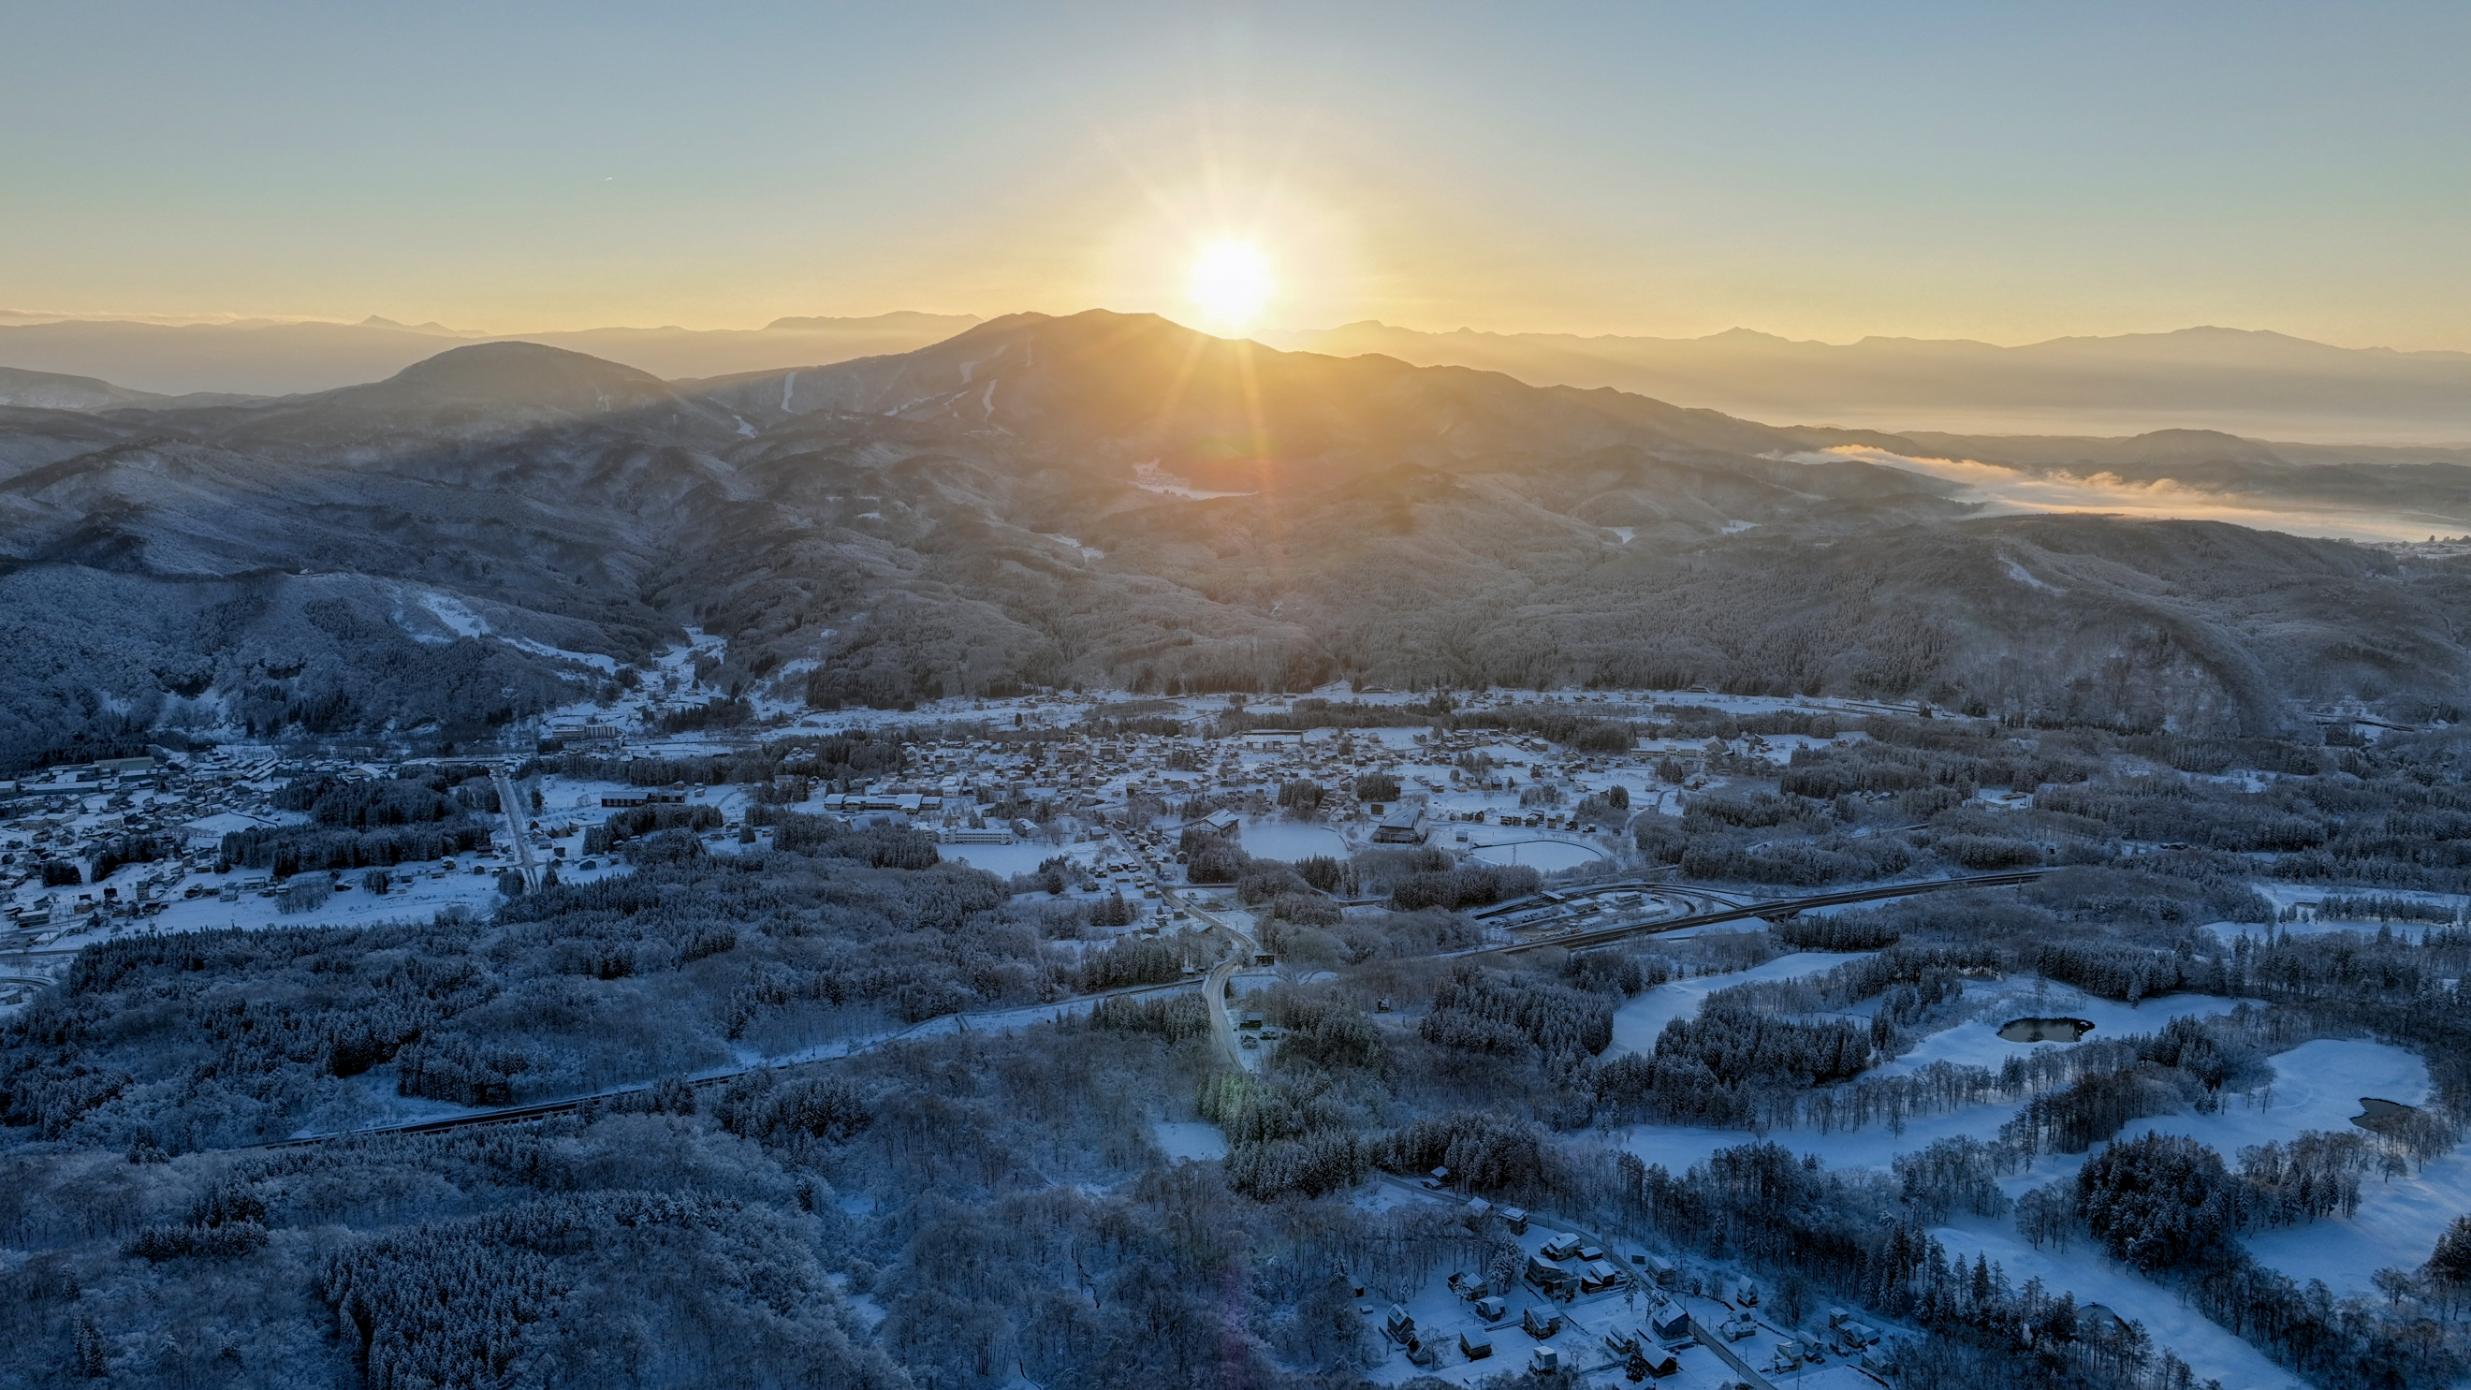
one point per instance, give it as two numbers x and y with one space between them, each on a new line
1820 172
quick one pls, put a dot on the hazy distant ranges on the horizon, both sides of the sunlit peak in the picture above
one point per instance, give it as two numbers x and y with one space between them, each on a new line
2195 379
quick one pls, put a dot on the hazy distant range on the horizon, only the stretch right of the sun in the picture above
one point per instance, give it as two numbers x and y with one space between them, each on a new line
2220 379
